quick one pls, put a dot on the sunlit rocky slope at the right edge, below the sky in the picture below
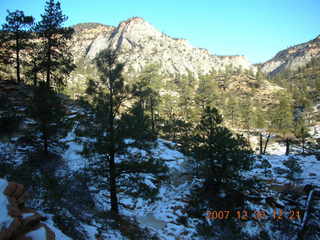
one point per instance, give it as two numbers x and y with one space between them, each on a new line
292 58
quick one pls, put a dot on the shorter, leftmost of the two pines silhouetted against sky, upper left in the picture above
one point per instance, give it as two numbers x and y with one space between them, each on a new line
16 39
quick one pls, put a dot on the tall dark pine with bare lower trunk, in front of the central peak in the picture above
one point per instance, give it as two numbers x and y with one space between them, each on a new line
111 124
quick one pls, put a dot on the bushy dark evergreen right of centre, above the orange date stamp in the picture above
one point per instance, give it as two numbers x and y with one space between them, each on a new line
221 156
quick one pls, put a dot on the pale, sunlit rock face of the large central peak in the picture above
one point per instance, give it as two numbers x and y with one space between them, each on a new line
139 43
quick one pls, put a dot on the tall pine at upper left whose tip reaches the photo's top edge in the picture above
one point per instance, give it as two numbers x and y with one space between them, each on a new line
54 54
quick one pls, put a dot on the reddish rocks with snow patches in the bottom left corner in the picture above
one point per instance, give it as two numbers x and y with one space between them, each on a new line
16 221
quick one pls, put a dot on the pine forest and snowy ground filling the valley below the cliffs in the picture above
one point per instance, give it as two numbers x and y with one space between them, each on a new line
155 156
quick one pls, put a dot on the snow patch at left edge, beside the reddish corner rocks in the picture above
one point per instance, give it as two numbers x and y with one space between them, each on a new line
5 219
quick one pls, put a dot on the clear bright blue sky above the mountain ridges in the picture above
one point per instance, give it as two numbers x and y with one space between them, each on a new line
257 29
